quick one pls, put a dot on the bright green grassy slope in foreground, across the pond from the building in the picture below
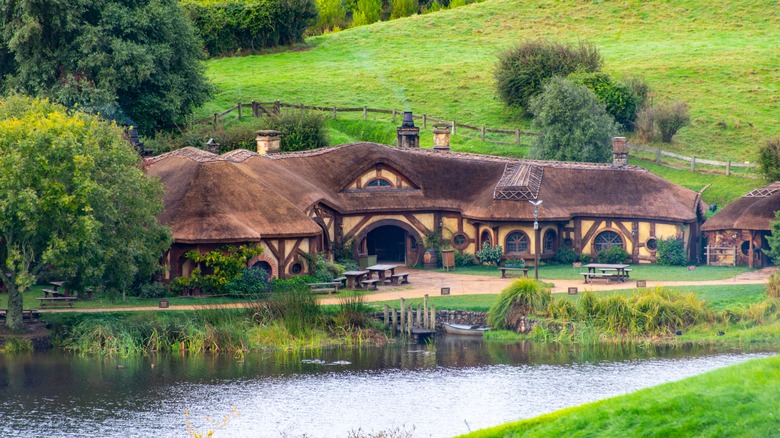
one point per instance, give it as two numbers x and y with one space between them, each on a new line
740 400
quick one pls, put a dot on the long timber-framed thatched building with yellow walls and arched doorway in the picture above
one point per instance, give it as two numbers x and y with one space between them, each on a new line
388 200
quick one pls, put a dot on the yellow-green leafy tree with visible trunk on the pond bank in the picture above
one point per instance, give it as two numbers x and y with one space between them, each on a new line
73 199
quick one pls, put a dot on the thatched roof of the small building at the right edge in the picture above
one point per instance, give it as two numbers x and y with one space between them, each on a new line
753 211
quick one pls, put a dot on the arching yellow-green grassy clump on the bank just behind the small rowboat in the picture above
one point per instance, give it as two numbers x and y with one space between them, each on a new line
521 298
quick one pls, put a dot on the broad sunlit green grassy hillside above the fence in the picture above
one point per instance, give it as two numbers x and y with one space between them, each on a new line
721 60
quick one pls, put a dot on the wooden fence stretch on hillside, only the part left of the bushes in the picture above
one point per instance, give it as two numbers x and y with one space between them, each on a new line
258 109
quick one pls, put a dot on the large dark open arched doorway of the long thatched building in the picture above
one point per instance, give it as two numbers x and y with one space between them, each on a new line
392 241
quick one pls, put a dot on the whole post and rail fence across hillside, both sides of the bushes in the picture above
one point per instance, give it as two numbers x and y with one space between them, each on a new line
258 109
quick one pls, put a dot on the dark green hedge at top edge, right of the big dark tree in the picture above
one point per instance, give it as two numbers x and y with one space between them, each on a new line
232 26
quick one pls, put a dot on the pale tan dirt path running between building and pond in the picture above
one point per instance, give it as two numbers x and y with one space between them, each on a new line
431 282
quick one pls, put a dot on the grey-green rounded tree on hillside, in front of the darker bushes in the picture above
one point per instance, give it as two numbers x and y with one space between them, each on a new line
573 125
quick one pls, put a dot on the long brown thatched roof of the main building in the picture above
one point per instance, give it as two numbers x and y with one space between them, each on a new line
244 195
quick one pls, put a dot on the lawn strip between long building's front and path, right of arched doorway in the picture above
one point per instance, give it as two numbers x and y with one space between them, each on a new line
639 272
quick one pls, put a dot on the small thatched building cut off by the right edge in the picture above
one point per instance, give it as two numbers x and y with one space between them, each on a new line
737 234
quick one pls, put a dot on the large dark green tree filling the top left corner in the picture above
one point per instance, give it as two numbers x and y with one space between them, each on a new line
135 62
